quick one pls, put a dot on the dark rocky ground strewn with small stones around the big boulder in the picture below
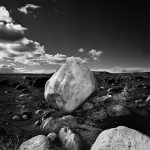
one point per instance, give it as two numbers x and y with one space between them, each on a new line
119 100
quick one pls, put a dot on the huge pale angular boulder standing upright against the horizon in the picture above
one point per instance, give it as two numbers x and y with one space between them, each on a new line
70 86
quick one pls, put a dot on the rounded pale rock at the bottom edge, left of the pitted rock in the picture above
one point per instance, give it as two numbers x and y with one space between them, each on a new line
39 142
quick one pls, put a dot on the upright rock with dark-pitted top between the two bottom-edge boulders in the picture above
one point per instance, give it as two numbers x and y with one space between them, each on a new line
70 140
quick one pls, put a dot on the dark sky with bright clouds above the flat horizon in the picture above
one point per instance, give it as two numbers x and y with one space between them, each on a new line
38 36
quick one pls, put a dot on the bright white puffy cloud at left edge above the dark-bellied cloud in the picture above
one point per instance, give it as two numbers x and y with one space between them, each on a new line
4 15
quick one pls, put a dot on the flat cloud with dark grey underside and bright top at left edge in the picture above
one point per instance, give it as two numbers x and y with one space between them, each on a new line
11 32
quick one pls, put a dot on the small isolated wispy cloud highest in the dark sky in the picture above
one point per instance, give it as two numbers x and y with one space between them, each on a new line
28 8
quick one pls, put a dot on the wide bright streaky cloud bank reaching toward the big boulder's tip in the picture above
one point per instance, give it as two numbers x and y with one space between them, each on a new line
29 52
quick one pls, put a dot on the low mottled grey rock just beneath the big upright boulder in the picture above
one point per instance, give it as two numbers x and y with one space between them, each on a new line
54 125
